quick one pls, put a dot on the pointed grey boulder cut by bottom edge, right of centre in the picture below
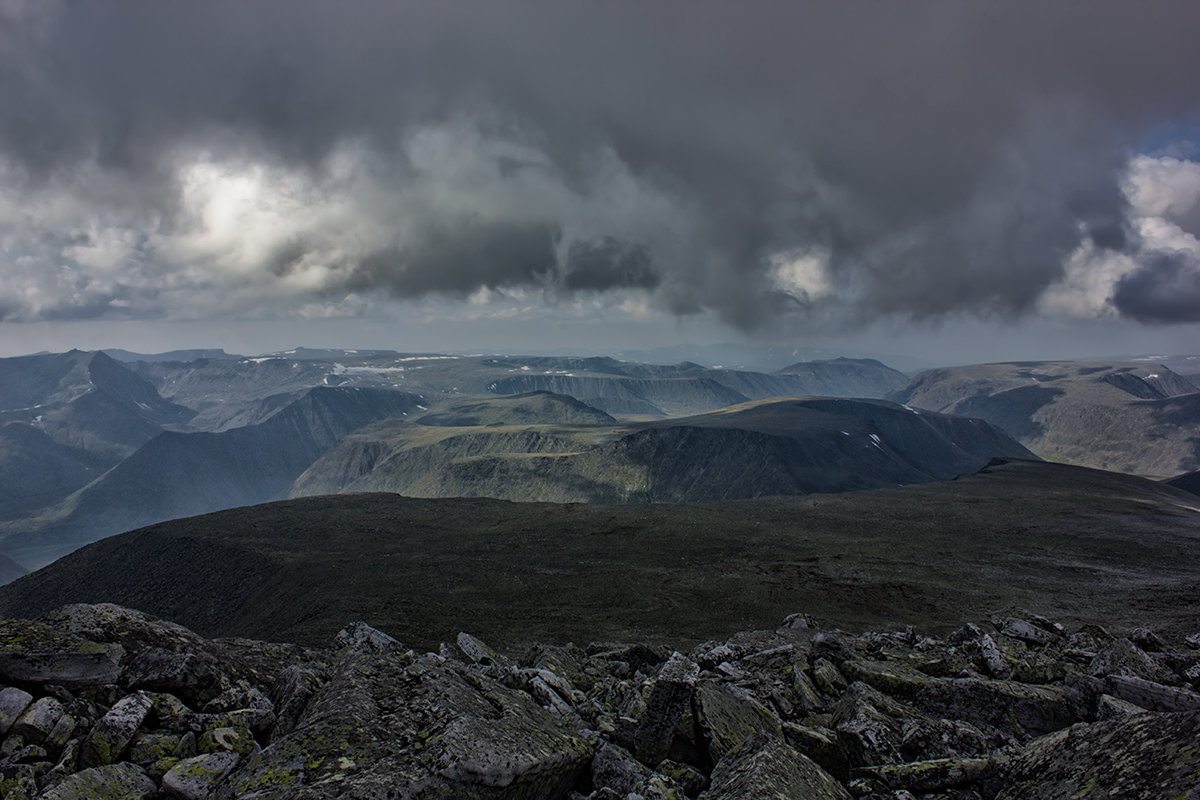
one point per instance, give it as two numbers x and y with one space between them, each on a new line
764 767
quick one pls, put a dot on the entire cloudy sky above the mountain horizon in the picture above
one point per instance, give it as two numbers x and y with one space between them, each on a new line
953 182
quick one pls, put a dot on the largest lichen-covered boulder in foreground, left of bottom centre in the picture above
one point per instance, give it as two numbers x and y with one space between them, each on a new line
395 724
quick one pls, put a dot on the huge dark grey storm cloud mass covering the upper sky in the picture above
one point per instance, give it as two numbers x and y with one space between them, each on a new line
944 158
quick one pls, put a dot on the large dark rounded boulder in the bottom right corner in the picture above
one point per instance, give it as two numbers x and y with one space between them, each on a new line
1142 757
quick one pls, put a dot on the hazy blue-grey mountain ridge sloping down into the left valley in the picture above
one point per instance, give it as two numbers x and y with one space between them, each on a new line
182 474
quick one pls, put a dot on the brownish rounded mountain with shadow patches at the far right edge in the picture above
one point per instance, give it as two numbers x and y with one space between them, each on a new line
1132 418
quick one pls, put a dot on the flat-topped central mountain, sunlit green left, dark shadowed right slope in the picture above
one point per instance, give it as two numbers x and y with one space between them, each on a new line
777 447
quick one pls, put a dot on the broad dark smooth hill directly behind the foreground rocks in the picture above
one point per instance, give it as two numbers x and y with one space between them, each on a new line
1077 544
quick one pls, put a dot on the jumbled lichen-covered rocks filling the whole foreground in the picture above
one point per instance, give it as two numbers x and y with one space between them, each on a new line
105 702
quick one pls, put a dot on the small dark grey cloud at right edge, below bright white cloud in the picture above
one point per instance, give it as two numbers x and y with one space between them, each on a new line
1166 288
